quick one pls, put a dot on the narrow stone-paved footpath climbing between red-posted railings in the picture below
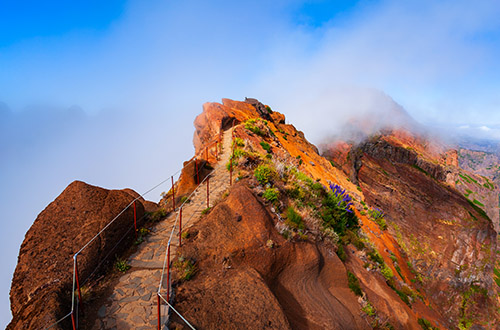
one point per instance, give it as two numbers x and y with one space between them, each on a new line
133 303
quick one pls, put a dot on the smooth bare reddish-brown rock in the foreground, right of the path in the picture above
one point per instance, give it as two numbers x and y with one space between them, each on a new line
245 282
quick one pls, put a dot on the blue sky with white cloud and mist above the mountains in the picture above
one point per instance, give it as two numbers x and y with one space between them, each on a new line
85 83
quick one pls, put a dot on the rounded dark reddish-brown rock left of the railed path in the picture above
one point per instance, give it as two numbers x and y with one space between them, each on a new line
41 287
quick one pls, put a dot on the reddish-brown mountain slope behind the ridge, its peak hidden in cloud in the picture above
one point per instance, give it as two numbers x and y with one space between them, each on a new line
442 217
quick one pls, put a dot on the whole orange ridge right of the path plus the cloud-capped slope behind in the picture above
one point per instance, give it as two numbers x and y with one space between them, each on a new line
382 233
